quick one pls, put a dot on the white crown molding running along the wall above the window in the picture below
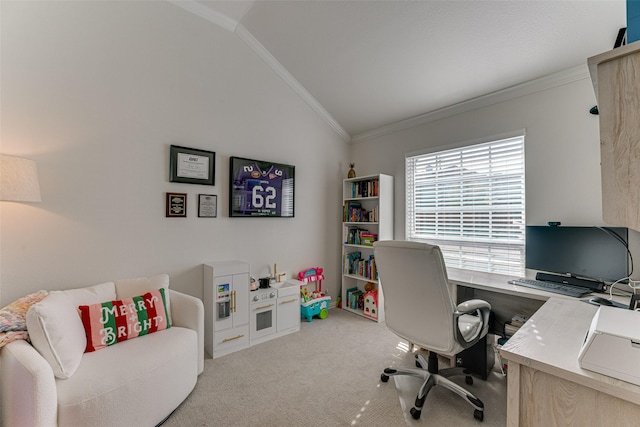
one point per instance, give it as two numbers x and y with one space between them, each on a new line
558 79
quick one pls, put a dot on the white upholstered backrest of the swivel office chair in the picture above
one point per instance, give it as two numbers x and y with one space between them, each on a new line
417 303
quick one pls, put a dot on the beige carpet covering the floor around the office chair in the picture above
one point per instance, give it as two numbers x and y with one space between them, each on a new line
328 374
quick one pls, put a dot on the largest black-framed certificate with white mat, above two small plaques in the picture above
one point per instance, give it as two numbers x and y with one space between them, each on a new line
191 166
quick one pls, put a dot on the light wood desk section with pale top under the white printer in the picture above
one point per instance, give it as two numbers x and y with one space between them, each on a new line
547 387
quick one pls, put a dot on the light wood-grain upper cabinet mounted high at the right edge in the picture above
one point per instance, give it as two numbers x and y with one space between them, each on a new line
616 80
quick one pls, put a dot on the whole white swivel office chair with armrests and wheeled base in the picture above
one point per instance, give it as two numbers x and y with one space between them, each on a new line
419 308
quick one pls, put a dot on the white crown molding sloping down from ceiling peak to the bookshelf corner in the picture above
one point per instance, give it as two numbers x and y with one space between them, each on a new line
291 81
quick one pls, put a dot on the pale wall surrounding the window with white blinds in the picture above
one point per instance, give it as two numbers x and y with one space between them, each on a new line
562 152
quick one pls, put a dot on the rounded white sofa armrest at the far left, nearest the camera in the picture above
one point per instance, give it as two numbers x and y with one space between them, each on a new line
29 393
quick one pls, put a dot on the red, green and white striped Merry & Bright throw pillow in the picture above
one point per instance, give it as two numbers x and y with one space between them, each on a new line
111 322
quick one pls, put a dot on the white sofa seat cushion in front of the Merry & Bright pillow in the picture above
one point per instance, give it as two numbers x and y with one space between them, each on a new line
135 383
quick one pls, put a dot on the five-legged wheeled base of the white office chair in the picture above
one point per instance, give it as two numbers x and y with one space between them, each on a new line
432 377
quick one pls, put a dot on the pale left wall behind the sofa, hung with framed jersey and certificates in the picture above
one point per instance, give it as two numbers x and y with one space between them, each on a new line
95 92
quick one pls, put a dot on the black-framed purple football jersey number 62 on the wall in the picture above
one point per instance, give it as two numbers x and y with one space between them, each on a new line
261 189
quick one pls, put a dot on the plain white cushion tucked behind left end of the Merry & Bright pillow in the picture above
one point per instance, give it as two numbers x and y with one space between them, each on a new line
55 328
